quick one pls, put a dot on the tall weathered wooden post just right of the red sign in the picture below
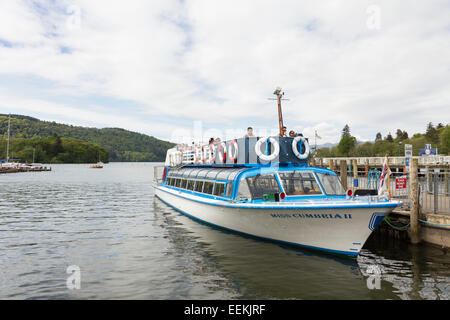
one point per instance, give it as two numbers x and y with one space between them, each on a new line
415 205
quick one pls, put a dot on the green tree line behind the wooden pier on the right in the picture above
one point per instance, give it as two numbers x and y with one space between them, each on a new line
438 136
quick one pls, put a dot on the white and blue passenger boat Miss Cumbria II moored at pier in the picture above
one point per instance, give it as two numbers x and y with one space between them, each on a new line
263 187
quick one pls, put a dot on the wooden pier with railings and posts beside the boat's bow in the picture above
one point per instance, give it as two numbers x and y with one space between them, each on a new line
413 222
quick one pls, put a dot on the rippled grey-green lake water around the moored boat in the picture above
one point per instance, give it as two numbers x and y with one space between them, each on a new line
129 245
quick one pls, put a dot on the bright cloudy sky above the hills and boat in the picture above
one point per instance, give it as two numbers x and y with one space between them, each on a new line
173 68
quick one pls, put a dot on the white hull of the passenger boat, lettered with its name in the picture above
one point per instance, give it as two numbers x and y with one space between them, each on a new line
336 230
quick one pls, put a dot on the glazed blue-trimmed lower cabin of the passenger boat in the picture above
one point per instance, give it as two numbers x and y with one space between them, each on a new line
255 183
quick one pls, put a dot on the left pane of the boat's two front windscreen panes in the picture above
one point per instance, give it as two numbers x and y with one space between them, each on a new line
298 183
